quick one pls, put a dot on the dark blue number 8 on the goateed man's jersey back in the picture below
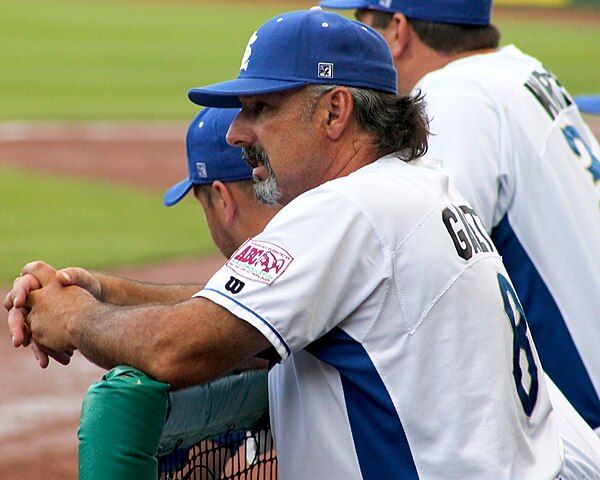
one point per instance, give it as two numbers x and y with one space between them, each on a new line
521 346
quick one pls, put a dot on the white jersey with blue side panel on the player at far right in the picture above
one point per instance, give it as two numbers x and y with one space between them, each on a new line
514 144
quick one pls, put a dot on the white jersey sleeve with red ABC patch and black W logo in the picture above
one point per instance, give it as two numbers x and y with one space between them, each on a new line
312 266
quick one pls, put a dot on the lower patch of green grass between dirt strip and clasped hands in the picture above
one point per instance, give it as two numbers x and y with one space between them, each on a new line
93 224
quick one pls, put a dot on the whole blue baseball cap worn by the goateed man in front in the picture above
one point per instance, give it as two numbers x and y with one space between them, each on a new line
306 47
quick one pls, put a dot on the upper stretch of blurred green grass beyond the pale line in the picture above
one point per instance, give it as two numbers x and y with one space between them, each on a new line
74 59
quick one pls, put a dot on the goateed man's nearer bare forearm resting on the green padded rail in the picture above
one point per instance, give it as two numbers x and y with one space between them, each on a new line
181 344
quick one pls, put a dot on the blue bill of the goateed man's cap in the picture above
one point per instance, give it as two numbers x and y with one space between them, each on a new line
226 94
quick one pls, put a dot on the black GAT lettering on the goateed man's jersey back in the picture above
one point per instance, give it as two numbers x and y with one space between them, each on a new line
466 231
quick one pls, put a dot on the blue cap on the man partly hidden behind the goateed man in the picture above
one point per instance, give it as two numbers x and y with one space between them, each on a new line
209 156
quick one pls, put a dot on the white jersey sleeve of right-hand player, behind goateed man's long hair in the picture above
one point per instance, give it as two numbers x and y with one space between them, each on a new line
465 138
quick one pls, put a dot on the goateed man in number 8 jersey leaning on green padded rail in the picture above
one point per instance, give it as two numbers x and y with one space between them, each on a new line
401 344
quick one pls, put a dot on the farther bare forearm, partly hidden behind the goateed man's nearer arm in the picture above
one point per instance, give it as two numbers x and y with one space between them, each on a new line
125 292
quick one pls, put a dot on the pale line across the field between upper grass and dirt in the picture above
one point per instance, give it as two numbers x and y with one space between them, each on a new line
21 131
